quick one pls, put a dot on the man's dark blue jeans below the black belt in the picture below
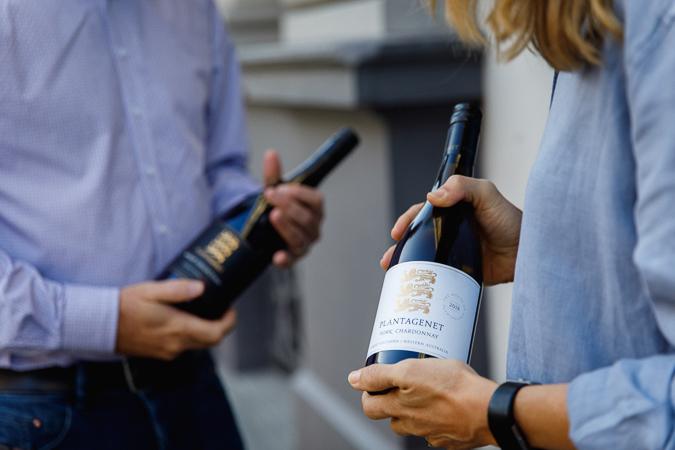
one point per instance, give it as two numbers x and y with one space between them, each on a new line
194 416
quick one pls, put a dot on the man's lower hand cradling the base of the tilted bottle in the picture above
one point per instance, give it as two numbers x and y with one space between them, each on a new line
149 326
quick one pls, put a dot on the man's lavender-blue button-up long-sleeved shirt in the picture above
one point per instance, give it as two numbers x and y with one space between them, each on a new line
121 136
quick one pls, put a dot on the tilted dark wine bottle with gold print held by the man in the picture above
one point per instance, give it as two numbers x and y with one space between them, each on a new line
237 247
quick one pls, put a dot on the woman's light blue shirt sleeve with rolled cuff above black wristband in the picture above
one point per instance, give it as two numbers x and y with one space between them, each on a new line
632 403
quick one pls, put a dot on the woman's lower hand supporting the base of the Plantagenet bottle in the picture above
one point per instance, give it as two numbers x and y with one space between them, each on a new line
443 401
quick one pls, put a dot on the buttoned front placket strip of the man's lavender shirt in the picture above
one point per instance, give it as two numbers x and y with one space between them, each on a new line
132 77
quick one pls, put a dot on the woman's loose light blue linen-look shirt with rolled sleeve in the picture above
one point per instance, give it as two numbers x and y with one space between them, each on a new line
594 299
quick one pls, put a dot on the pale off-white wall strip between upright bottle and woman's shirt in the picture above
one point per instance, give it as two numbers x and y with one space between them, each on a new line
517 97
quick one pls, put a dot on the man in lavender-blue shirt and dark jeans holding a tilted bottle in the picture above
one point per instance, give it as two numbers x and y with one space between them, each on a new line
122 136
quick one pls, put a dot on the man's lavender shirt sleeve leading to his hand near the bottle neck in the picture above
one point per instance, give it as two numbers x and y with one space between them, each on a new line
228 144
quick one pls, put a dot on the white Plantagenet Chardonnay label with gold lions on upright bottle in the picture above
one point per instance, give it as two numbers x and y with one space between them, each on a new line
426 308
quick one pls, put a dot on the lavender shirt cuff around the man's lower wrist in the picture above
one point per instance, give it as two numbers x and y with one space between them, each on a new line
90 319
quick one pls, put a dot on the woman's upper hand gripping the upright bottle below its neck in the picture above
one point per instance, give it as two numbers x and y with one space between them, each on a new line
498 220
